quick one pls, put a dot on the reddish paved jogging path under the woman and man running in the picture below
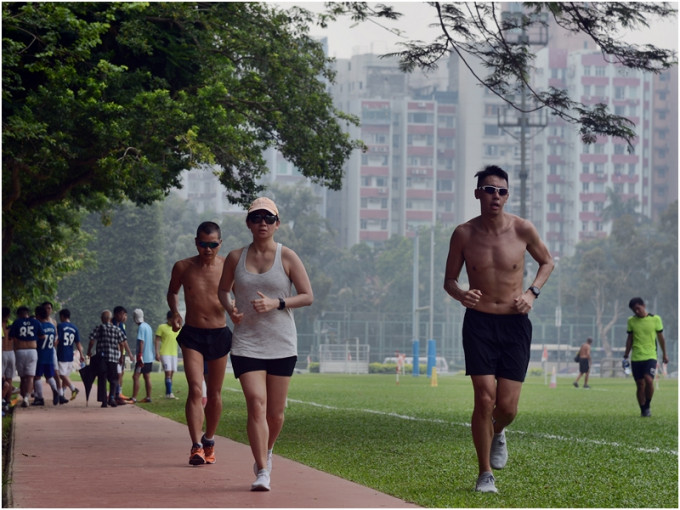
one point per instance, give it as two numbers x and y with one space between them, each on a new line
72 456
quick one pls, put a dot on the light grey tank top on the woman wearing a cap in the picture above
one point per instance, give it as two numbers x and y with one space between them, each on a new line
268 335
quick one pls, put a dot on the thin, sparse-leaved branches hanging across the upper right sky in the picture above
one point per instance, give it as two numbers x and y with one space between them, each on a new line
484 32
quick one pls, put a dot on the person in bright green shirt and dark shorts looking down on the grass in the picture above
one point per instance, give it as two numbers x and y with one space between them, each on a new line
643 331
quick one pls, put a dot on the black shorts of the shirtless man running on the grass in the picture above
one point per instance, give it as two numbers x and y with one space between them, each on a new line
497 345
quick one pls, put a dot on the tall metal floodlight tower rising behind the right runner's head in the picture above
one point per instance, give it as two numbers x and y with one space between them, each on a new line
523 120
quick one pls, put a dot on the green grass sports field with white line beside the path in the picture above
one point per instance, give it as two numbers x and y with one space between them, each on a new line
568 447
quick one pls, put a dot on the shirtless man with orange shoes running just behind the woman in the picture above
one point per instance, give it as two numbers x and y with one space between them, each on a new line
204 337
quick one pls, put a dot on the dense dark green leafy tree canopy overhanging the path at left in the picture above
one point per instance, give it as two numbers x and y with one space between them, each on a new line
110 101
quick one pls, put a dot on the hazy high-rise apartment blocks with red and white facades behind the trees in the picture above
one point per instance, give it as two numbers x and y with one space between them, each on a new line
428 134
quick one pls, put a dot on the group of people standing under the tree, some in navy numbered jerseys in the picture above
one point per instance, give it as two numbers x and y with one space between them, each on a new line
36 346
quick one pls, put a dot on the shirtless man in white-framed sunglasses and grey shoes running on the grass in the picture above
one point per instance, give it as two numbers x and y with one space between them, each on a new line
496 327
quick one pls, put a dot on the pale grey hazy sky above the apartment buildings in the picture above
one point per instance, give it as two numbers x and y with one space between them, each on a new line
345 40
